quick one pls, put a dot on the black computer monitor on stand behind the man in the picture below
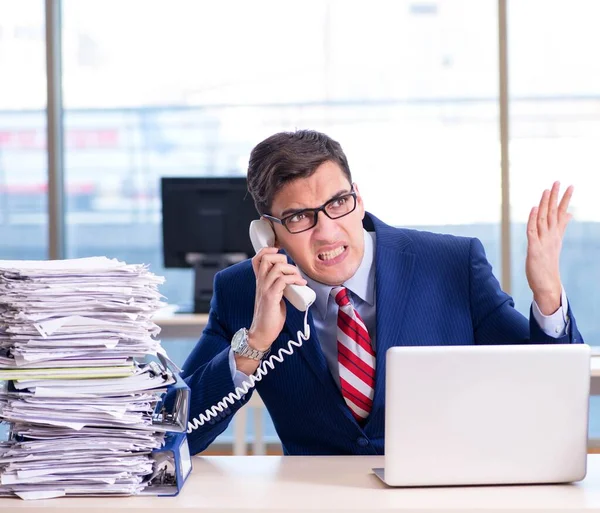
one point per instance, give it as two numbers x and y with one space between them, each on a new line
205 225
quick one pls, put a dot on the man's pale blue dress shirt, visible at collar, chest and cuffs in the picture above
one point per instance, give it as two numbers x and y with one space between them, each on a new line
362 293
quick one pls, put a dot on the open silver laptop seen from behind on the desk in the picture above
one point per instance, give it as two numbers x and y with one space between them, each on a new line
475 415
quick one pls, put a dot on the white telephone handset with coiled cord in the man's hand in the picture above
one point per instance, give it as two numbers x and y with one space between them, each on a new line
300 296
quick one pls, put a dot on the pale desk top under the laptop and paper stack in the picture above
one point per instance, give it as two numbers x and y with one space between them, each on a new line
325 483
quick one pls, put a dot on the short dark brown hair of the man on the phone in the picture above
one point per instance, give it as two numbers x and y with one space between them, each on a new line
288 156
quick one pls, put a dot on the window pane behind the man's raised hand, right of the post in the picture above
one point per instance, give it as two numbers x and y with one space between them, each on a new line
555 128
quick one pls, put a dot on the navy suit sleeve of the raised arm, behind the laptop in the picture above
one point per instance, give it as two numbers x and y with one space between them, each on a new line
495 320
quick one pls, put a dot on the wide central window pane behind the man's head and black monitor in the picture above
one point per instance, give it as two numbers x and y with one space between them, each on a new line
412 101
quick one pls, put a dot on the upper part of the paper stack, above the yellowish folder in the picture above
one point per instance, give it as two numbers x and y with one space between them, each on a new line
78 312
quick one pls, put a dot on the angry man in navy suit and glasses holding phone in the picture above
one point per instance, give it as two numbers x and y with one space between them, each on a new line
390 287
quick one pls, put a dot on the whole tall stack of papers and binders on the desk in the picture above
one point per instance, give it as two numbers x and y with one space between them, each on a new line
79 398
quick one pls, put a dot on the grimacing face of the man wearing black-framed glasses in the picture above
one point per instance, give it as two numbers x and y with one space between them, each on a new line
332 251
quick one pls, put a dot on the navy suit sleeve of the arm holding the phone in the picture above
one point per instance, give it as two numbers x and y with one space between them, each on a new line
208 374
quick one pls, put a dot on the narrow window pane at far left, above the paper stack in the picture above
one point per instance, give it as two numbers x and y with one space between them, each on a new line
23 161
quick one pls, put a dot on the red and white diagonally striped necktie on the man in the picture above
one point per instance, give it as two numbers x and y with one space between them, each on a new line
356 357
